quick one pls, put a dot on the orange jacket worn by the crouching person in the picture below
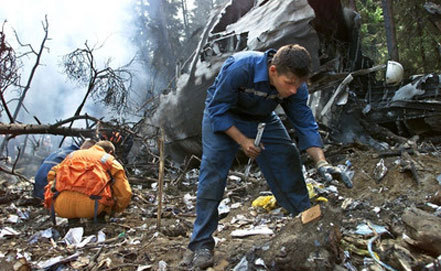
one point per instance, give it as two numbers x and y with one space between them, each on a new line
88 172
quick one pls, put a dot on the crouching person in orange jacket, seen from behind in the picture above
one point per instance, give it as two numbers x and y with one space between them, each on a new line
87 183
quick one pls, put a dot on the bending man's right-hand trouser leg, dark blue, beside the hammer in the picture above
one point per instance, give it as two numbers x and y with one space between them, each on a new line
281 166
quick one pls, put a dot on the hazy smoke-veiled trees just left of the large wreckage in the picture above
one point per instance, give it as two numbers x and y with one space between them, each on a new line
165 39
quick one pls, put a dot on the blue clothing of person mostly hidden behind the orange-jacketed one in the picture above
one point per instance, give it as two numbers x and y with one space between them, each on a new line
52 160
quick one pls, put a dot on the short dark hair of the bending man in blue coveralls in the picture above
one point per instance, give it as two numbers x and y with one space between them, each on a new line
292 58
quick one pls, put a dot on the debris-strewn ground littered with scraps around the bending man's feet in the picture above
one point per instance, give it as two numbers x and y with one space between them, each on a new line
390 222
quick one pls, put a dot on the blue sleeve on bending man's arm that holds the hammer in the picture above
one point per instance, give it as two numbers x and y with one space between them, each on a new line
224 94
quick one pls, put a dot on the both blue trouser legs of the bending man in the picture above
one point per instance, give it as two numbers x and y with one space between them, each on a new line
279 162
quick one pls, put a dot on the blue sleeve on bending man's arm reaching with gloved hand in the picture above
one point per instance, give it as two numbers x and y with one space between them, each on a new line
303 120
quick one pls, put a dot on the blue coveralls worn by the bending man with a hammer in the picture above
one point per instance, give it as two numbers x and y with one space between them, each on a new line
242 96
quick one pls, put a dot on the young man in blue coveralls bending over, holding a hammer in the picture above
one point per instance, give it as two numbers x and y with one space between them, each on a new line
246 91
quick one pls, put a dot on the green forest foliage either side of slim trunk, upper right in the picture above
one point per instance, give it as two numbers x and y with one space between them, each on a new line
416 36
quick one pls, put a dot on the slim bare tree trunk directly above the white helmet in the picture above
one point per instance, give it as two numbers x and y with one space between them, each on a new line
389 25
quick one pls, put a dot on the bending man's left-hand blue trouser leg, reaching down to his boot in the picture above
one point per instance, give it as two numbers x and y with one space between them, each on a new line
218 151
